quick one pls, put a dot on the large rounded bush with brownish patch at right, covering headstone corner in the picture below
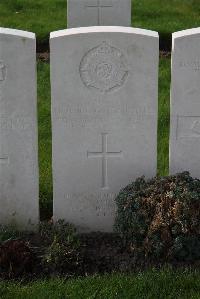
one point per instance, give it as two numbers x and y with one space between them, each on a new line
160 218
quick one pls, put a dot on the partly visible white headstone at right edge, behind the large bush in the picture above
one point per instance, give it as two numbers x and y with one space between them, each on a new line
185 103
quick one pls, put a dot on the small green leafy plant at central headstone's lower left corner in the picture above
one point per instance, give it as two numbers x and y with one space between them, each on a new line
62 246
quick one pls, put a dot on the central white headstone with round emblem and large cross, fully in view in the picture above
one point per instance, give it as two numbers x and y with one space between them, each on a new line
104 119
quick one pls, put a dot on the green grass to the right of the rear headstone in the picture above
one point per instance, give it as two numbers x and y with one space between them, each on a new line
166 16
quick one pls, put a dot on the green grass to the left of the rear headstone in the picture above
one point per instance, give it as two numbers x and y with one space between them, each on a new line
39 16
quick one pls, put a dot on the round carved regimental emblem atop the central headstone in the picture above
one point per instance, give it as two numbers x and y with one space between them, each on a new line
104 68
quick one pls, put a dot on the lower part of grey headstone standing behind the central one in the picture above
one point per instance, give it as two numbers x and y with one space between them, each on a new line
83 13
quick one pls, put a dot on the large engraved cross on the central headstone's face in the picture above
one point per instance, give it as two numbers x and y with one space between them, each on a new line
104 155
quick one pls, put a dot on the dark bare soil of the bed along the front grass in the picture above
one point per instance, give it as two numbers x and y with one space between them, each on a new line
100 253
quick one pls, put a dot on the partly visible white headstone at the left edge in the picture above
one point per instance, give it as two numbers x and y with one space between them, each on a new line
18 130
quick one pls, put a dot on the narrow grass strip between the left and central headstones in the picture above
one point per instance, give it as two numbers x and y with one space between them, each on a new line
45 161
